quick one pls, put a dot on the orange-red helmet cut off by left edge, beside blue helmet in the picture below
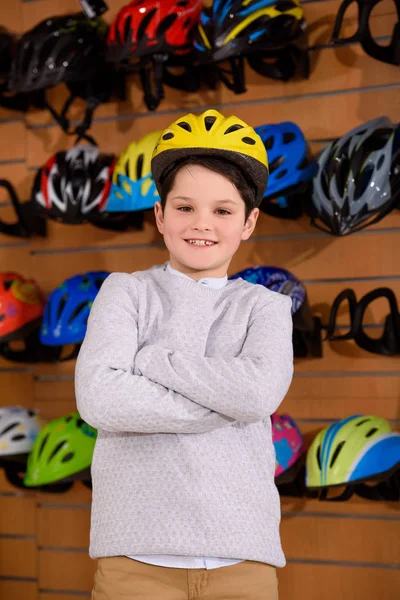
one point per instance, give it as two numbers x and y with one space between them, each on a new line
21 306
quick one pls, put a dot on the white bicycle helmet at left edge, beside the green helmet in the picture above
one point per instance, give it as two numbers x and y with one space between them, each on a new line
19 428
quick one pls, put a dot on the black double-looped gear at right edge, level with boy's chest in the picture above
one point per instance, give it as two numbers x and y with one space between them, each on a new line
389 343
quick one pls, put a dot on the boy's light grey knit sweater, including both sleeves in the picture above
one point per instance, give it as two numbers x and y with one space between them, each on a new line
180 381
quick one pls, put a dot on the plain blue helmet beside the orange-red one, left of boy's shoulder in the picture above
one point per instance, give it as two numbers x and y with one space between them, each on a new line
67 309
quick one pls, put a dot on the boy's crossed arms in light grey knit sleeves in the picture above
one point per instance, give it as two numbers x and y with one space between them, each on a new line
156 390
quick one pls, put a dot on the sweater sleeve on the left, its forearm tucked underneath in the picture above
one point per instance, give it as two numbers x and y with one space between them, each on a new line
109 395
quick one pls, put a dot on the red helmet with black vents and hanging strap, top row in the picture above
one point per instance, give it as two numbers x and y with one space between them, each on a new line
151 32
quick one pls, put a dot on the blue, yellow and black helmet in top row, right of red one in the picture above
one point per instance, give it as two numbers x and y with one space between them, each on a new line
262 31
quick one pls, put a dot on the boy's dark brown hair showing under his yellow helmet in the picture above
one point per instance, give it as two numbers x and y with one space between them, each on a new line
219 165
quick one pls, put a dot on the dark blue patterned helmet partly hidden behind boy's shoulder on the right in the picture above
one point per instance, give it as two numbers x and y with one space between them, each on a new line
277 280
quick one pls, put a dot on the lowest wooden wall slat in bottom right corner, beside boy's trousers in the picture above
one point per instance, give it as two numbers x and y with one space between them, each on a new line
317 582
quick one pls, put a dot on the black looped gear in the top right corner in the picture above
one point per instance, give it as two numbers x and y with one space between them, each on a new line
389 53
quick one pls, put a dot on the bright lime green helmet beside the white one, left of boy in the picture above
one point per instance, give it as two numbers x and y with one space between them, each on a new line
62 451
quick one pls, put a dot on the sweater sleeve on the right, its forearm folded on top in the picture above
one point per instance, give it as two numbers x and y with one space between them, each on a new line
248 387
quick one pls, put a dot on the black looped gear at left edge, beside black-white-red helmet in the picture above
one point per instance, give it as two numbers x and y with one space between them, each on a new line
28 221
